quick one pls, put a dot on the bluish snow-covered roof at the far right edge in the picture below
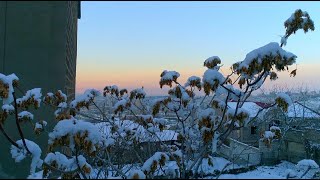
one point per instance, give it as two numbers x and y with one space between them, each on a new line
297 110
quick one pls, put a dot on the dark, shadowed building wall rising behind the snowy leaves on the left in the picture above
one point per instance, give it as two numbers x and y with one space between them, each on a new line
37 40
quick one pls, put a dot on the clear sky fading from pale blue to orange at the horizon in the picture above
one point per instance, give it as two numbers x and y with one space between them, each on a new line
129 44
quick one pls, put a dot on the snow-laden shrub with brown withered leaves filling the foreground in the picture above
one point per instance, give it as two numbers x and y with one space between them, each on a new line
78 148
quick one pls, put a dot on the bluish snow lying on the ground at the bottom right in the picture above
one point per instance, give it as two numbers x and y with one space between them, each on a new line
270 172
